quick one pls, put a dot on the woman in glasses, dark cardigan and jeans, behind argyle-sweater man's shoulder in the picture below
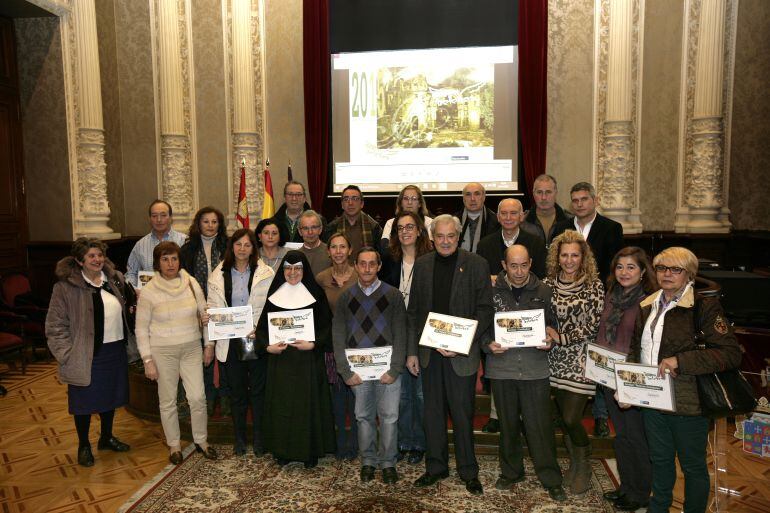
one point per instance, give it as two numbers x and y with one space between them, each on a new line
397 265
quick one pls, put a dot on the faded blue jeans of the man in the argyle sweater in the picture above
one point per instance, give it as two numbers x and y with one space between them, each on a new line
374 399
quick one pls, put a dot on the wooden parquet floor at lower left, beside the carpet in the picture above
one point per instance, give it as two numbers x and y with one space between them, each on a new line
38 451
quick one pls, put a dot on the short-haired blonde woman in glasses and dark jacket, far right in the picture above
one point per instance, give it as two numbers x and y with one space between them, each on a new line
671 325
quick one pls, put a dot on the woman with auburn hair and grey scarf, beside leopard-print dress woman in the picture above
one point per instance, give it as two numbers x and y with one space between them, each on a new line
632 279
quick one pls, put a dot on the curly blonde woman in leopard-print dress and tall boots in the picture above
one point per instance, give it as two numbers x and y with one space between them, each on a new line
578 299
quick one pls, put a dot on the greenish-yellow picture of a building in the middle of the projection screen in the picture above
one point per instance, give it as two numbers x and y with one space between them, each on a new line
441 108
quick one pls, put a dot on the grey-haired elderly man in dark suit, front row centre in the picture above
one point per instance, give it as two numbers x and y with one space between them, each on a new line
454 282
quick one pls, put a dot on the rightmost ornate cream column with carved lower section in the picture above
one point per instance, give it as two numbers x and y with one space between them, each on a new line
706 103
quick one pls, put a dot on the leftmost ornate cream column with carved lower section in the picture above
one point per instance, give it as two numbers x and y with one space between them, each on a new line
90 206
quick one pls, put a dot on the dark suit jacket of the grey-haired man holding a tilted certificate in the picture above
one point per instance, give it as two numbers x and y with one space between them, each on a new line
471 298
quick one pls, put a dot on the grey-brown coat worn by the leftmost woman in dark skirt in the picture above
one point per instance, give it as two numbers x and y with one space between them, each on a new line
69 325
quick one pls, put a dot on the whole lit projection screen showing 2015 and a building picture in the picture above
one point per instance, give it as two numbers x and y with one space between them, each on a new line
434 117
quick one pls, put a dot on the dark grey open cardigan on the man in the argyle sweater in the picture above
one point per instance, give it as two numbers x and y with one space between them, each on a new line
395 330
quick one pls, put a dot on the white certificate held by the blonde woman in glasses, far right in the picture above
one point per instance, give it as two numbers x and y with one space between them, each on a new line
639 385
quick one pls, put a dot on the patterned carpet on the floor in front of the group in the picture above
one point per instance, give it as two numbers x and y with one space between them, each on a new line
248 484
